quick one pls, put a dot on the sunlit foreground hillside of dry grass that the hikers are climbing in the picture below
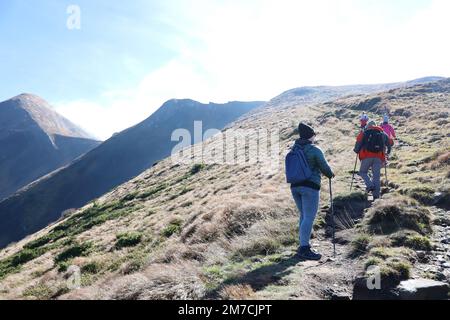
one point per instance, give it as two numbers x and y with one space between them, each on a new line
217 231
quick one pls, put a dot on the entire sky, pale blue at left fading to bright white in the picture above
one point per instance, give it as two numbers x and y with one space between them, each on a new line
127 58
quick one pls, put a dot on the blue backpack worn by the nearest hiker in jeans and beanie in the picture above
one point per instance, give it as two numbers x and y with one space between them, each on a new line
297 167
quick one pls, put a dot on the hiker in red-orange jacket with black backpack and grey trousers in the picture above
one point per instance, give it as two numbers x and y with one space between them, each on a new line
372 146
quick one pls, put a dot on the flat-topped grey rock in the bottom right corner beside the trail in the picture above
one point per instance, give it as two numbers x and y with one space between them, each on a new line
422 289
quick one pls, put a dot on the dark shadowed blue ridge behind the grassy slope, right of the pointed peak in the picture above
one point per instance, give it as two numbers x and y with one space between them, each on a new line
115 161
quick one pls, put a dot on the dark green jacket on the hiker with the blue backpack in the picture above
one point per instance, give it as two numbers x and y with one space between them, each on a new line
317 163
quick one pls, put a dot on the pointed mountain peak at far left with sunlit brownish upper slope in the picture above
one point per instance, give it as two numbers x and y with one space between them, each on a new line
35 140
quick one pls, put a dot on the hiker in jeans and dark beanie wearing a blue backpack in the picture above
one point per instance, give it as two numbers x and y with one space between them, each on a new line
305 164
